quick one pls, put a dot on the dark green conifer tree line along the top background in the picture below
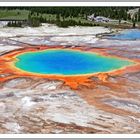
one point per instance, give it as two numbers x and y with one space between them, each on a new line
64 15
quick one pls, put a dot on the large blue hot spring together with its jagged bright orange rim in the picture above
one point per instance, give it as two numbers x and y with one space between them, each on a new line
72 66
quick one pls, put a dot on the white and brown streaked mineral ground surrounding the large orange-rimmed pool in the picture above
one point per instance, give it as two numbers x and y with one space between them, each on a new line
40 105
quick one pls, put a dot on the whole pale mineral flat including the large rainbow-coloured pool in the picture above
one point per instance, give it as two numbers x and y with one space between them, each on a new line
79 83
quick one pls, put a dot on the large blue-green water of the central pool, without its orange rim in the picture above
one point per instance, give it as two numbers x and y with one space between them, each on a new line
67 62
